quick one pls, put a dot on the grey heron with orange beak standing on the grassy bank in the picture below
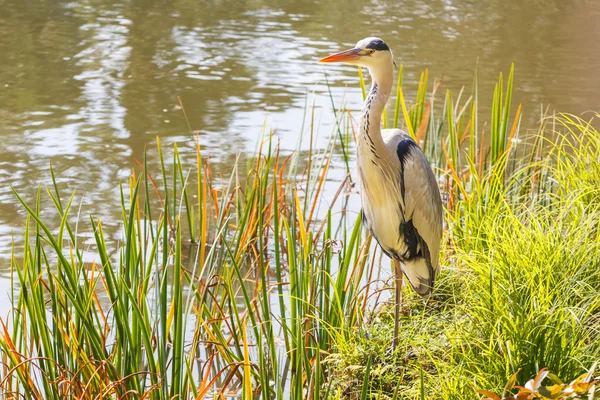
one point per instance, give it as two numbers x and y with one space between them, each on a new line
401 203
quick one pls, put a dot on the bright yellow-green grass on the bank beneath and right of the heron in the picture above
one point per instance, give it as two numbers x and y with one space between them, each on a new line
519 291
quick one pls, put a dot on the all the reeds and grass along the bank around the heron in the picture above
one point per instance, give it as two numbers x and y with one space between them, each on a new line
277 295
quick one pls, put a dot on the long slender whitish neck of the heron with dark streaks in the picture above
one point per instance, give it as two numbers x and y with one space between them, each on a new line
370 121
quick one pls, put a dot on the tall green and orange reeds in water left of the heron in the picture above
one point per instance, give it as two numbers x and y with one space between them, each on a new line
136 320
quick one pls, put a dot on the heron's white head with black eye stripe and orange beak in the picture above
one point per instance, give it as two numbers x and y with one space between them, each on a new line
370 52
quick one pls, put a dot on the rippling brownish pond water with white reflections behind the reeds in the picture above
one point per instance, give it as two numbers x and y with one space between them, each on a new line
88 85
